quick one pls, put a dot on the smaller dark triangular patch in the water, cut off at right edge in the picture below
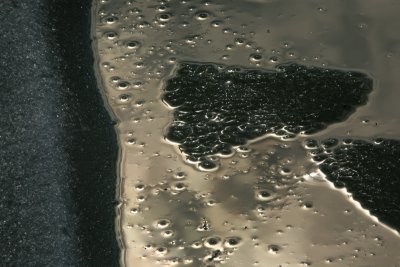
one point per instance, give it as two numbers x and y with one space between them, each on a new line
369 171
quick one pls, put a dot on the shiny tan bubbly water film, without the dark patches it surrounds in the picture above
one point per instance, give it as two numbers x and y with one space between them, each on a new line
269 203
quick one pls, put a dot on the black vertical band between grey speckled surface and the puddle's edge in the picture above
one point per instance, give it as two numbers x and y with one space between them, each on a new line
90 136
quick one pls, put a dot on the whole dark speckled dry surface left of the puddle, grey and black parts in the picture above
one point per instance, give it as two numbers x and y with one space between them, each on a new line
58 145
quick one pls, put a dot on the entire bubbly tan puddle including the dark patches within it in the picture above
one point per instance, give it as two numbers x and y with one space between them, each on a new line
253 133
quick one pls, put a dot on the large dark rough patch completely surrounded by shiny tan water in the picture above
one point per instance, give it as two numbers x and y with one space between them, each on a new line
218 106
